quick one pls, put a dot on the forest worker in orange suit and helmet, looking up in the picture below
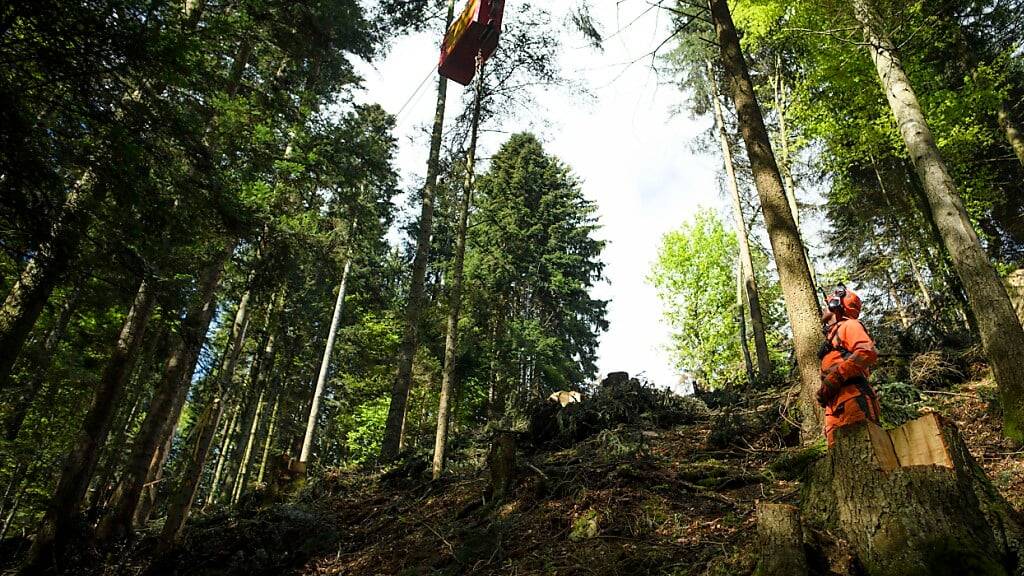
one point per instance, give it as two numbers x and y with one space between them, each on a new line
847 357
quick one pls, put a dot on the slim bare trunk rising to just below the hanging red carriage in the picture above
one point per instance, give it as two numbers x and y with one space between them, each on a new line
455 300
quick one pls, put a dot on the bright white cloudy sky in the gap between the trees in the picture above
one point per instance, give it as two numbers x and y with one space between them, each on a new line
635 158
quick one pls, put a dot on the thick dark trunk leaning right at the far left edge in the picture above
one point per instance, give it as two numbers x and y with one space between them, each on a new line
27 298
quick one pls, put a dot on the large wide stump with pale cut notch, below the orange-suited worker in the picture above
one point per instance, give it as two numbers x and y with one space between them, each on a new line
914 502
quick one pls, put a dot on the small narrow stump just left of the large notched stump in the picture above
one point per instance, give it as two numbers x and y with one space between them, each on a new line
782 541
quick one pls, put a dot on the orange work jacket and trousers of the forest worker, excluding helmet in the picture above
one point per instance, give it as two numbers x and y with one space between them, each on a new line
850 352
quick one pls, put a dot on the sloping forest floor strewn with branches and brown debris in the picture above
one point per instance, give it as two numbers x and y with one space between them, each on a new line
631 500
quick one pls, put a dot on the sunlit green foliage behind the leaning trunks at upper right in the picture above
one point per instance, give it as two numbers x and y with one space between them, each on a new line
813 71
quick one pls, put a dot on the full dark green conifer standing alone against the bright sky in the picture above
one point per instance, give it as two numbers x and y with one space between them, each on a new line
531 265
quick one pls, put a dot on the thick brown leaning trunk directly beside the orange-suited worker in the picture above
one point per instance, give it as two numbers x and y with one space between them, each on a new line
798 290
